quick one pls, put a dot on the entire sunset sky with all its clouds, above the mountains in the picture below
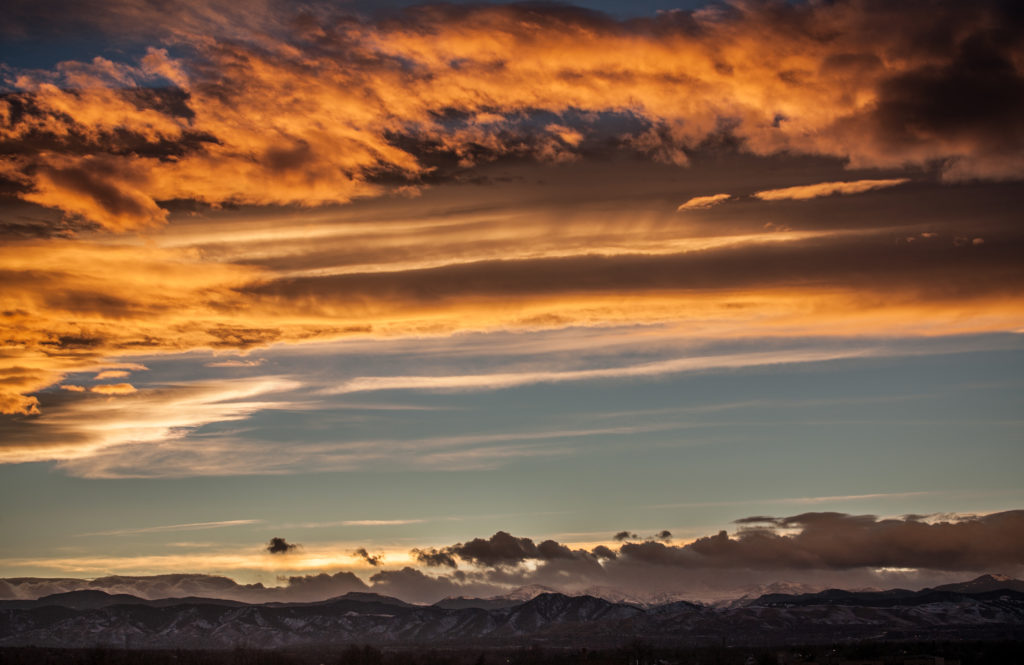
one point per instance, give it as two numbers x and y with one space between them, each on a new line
450 300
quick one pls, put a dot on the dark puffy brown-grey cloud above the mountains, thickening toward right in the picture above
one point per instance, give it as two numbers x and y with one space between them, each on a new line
817 549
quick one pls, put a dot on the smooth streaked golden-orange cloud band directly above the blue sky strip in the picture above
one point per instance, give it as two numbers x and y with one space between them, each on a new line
71 305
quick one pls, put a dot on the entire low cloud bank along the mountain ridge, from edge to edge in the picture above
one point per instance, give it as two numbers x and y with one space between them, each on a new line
810 551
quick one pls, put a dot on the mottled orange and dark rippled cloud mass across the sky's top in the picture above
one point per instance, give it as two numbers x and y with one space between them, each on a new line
336 106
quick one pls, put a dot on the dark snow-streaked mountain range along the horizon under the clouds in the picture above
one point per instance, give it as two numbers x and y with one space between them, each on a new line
551 619
